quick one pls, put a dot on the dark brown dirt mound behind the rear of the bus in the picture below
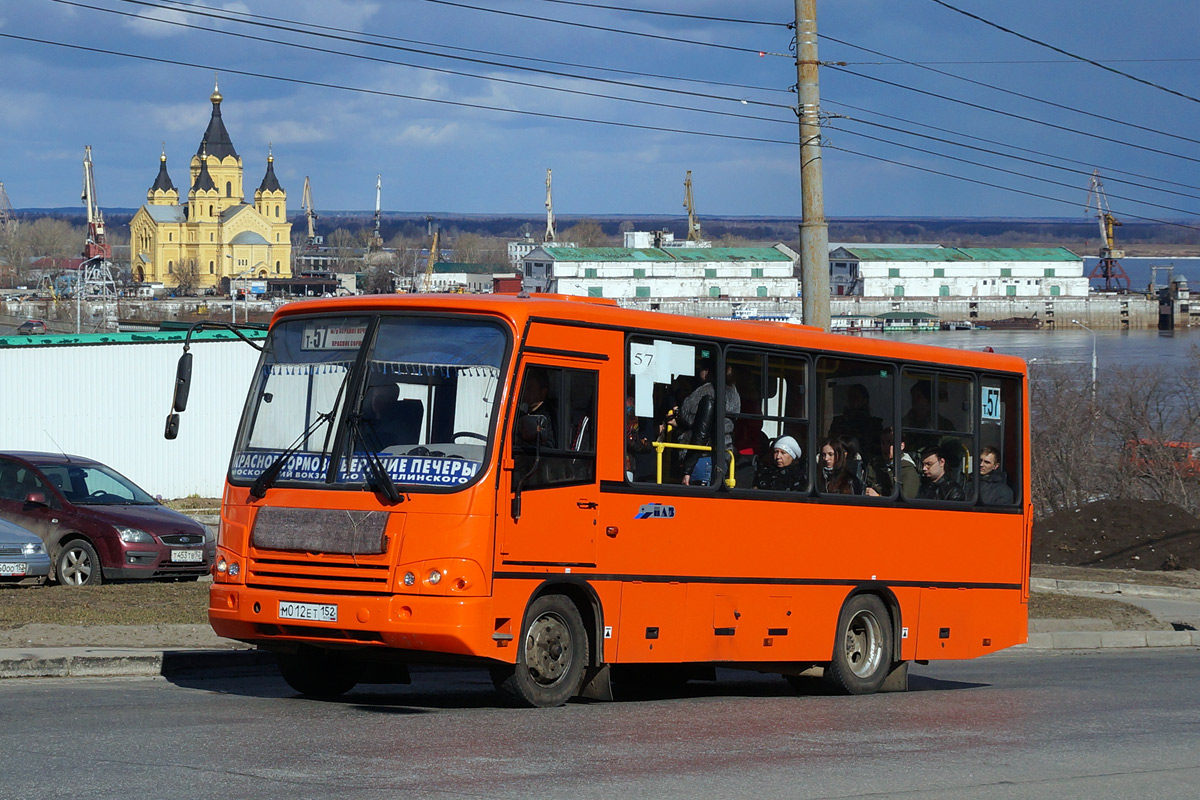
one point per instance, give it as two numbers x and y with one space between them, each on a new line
1120 536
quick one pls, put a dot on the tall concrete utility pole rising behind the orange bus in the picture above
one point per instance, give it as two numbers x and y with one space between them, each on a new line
814 231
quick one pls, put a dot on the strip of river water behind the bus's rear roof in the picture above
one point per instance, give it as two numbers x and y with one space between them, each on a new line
1173 350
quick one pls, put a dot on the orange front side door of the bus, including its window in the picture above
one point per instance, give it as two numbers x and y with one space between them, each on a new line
549 502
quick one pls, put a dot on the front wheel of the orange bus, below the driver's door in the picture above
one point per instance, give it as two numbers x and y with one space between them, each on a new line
553 657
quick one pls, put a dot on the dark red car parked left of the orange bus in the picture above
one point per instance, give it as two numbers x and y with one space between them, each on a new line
98 525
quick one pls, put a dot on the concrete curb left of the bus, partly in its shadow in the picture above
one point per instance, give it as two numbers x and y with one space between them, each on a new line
113 663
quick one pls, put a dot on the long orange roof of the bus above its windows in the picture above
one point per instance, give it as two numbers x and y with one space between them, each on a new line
597 311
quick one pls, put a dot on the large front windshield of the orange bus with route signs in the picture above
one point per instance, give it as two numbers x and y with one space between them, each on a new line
421 404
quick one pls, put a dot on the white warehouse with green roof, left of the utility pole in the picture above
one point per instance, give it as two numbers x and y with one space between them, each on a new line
658 273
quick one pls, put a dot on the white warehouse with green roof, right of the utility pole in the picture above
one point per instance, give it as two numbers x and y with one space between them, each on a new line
957 273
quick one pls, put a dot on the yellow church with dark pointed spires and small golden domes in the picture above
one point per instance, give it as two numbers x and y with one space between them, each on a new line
214 234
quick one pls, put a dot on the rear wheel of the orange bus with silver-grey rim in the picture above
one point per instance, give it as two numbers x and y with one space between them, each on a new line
862 648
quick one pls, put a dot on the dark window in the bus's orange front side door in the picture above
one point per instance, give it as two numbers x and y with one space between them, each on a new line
554 432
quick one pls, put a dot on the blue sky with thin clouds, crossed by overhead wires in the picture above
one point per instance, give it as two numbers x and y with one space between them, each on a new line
475 134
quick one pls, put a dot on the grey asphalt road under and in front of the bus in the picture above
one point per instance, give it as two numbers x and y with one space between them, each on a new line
1066 725
